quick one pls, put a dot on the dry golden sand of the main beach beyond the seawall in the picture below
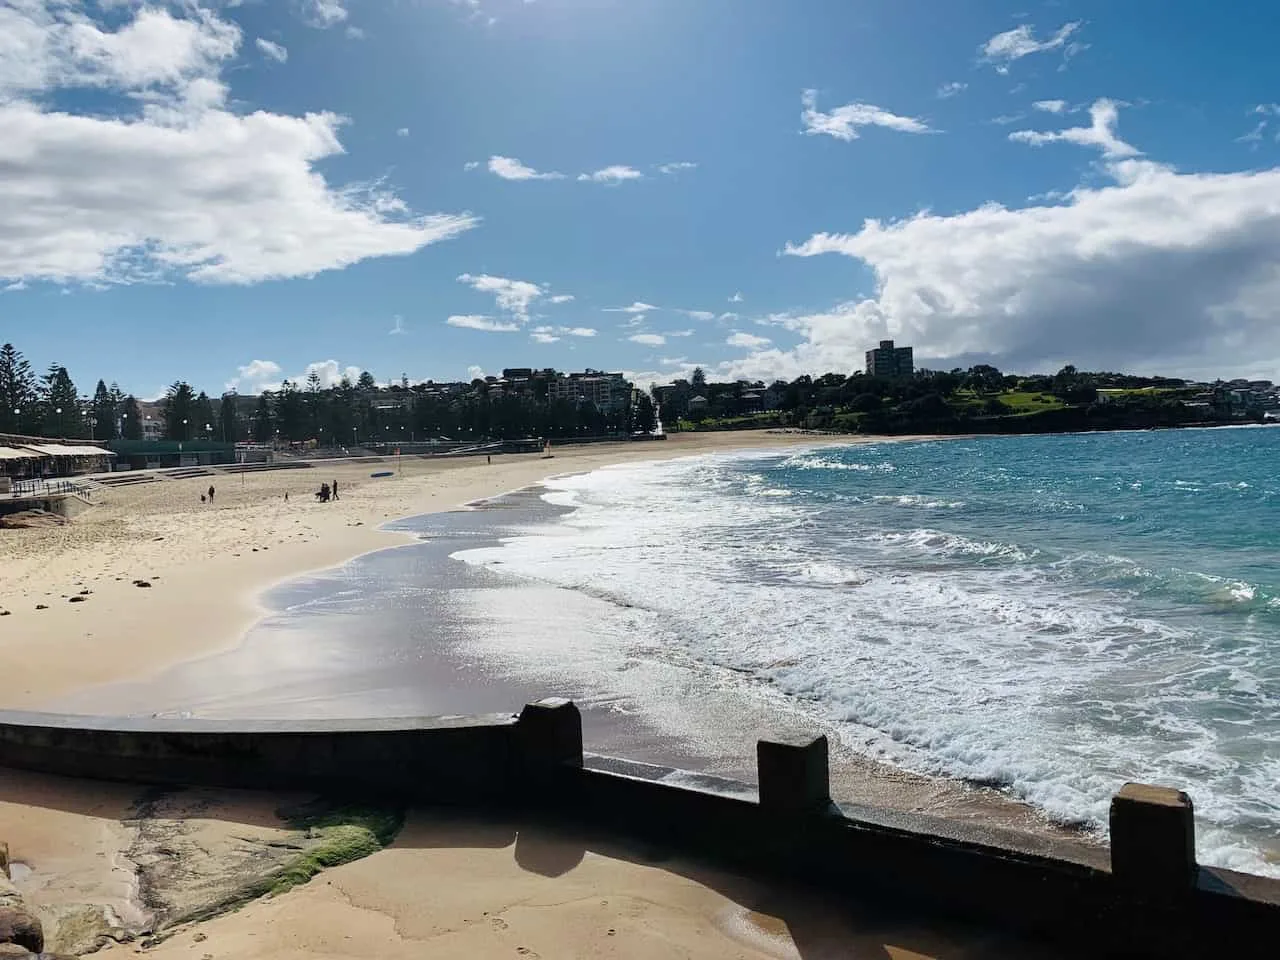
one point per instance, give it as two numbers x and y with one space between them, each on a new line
207 566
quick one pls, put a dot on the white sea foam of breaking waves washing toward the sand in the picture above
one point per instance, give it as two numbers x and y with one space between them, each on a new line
947 653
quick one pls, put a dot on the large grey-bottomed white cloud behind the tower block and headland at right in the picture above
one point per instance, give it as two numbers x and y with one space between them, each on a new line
1156 271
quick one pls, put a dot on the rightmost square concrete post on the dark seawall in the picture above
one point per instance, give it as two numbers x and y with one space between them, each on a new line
1154 840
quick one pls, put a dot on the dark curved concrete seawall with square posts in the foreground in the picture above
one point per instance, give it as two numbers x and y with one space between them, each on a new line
1151 899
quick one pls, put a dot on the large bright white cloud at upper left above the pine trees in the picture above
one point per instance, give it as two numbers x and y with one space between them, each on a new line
175 185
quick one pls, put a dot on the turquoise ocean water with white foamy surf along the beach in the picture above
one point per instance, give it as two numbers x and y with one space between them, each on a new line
1052 616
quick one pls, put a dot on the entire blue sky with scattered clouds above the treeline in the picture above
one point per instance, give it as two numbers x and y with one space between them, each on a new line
231 194
